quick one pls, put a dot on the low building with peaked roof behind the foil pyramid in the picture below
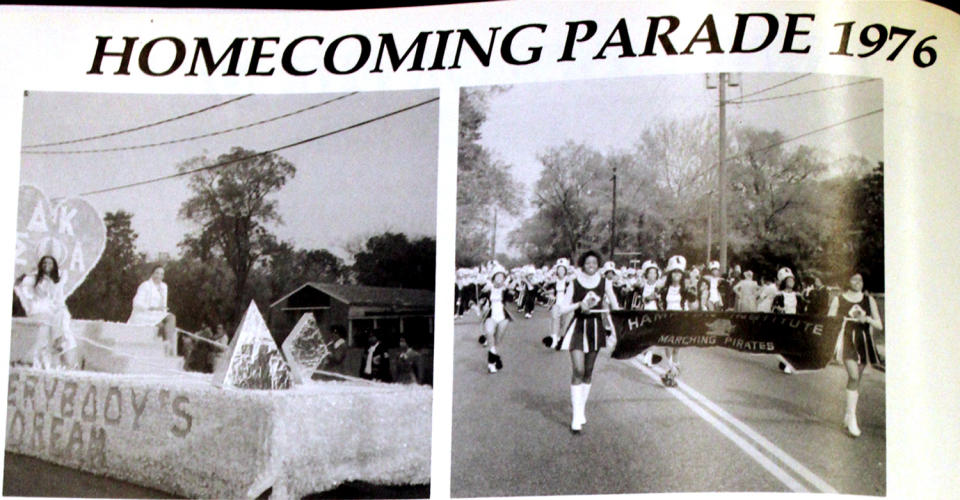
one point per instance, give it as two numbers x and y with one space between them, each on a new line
360 310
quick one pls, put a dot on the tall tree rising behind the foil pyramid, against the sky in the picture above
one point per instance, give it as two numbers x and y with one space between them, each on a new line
232 206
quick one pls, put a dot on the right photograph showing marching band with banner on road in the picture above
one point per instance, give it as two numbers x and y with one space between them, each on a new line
670 283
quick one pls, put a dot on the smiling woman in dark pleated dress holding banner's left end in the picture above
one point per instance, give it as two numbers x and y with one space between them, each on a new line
585 336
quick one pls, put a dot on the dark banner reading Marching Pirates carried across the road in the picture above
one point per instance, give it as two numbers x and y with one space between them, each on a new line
807 342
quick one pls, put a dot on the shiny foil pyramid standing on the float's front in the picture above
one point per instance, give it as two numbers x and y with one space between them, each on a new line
253 360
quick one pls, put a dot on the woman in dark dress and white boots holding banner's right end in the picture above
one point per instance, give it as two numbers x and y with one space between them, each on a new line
860 313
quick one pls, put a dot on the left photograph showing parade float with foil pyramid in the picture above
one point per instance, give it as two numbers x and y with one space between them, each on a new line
223 296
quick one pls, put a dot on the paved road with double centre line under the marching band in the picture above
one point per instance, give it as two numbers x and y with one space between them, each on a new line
735 424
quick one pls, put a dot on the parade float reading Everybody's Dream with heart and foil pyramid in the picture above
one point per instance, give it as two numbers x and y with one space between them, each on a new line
258 424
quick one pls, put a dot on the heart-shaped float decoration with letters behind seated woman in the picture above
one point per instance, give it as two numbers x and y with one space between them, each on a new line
71 231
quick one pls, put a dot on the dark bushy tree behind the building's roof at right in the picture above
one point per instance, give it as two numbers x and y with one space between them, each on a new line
391 260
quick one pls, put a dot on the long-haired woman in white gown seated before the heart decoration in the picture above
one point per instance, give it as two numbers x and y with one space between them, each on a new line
43 299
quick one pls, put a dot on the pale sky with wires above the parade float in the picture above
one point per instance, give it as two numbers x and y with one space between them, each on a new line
374 178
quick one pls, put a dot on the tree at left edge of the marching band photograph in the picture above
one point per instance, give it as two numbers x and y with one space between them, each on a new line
485 186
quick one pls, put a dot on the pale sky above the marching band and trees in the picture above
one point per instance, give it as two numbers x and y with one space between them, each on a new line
610 115
